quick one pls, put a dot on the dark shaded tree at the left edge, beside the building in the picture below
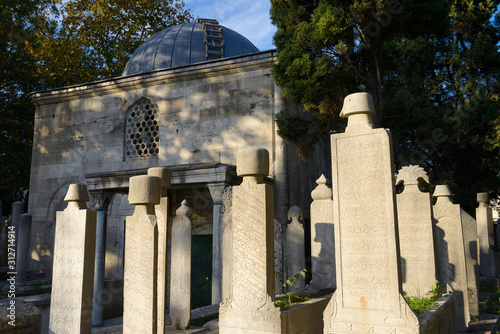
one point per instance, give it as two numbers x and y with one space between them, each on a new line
19 21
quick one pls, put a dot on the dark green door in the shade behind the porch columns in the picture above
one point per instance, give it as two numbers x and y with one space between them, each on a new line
201 271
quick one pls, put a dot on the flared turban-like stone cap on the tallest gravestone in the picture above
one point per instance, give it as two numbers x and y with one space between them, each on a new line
359 109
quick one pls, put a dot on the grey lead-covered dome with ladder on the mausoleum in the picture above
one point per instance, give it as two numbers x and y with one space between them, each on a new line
186 44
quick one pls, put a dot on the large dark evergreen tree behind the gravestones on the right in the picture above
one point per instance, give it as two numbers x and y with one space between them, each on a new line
431 66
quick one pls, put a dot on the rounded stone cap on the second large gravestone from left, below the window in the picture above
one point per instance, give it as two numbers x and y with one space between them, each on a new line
144 189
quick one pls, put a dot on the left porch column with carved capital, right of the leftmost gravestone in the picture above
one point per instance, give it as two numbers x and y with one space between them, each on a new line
100 201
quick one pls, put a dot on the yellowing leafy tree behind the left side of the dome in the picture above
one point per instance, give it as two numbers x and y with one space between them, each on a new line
95 38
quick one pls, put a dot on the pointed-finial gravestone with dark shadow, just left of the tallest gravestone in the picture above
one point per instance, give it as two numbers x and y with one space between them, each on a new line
322 236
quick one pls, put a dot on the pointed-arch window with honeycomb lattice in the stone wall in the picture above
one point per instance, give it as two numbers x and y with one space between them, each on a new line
142 137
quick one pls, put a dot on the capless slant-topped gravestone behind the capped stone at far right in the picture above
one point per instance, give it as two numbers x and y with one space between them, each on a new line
469 228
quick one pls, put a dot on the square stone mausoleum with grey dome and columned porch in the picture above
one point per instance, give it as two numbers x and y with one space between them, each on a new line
188 99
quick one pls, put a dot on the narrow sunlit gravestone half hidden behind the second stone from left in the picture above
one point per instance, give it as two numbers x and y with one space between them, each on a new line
161 211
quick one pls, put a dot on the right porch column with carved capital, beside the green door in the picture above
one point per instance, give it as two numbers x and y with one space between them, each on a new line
216 190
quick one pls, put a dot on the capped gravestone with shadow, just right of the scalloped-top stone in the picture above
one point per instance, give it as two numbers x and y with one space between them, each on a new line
451 253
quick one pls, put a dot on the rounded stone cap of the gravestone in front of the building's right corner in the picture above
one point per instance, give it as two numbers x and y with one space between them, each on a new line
252 162
